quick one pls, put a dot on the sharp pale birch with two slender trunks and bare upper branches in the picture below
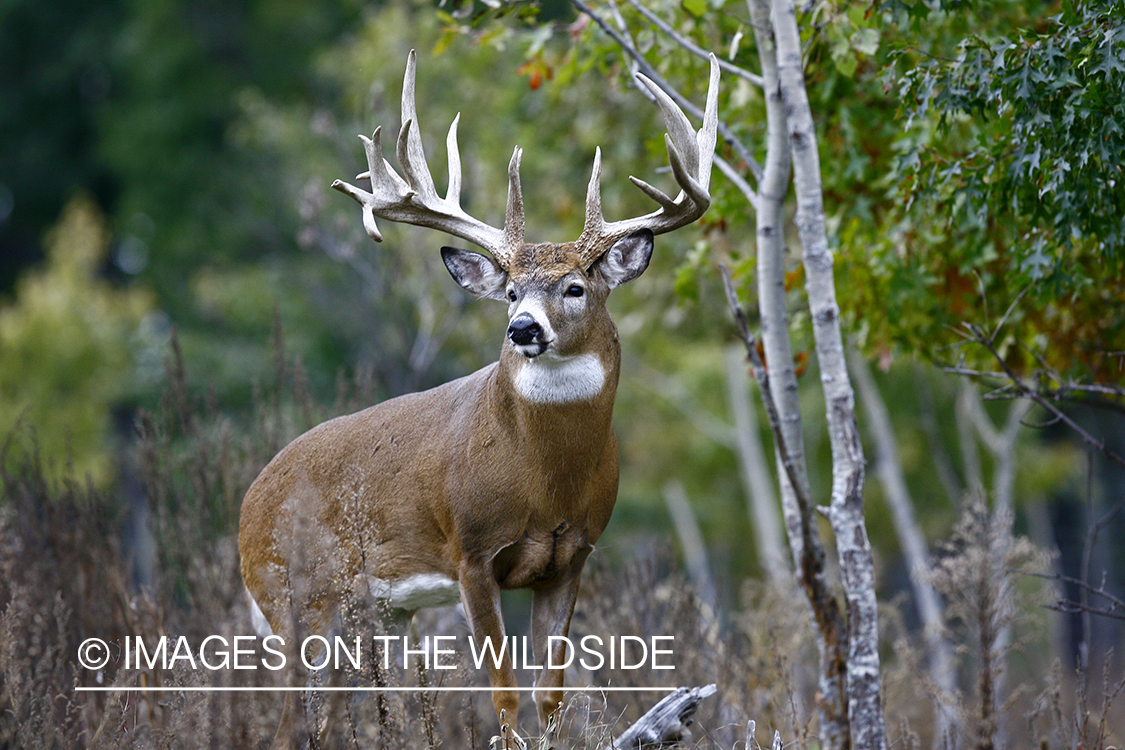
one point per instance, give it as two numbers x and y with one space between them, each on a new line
849 685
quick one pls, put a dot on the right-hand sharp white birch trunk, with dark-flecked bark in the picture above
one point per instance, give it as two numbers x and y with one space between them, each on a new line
847 516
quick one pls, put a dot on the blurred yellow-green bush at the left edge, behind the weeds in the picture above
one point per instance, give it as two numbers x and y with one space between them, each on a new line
65 346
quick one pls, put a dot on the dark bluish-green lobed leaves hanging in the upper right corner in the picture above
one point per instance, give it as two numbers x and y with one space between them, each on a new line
1048 107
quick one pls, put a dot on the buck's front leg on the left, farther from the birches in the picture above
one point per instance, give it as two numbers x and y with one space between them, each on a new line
481 598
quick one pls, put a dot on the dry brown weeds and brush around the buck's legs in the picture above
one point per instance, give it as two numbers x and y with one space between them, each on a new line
158 558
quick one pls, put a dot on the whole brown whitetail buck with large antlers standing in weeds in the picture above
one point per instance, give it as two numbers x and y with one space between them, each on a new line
502 480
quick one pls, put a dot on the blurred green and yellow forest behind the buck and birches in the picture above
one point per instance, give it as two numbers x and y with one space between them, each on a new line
182 294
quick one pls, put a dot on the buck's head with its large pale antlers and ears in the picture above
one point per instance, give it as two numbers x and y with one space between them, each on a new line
529 277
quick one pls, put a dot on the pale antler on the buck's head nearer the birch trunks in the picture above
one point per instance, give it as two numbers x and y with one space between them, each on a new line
690 155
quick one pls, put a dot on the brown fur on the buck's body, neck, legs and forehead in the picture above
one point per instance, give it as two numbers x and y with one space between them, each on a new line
467 481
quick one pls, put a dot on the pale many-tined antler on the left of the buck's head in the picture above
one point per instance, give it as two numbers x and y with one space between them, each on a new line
413 200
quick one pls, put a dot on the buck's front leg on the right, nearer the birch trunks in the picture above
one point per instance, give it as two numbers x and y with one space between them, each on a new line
552 609
